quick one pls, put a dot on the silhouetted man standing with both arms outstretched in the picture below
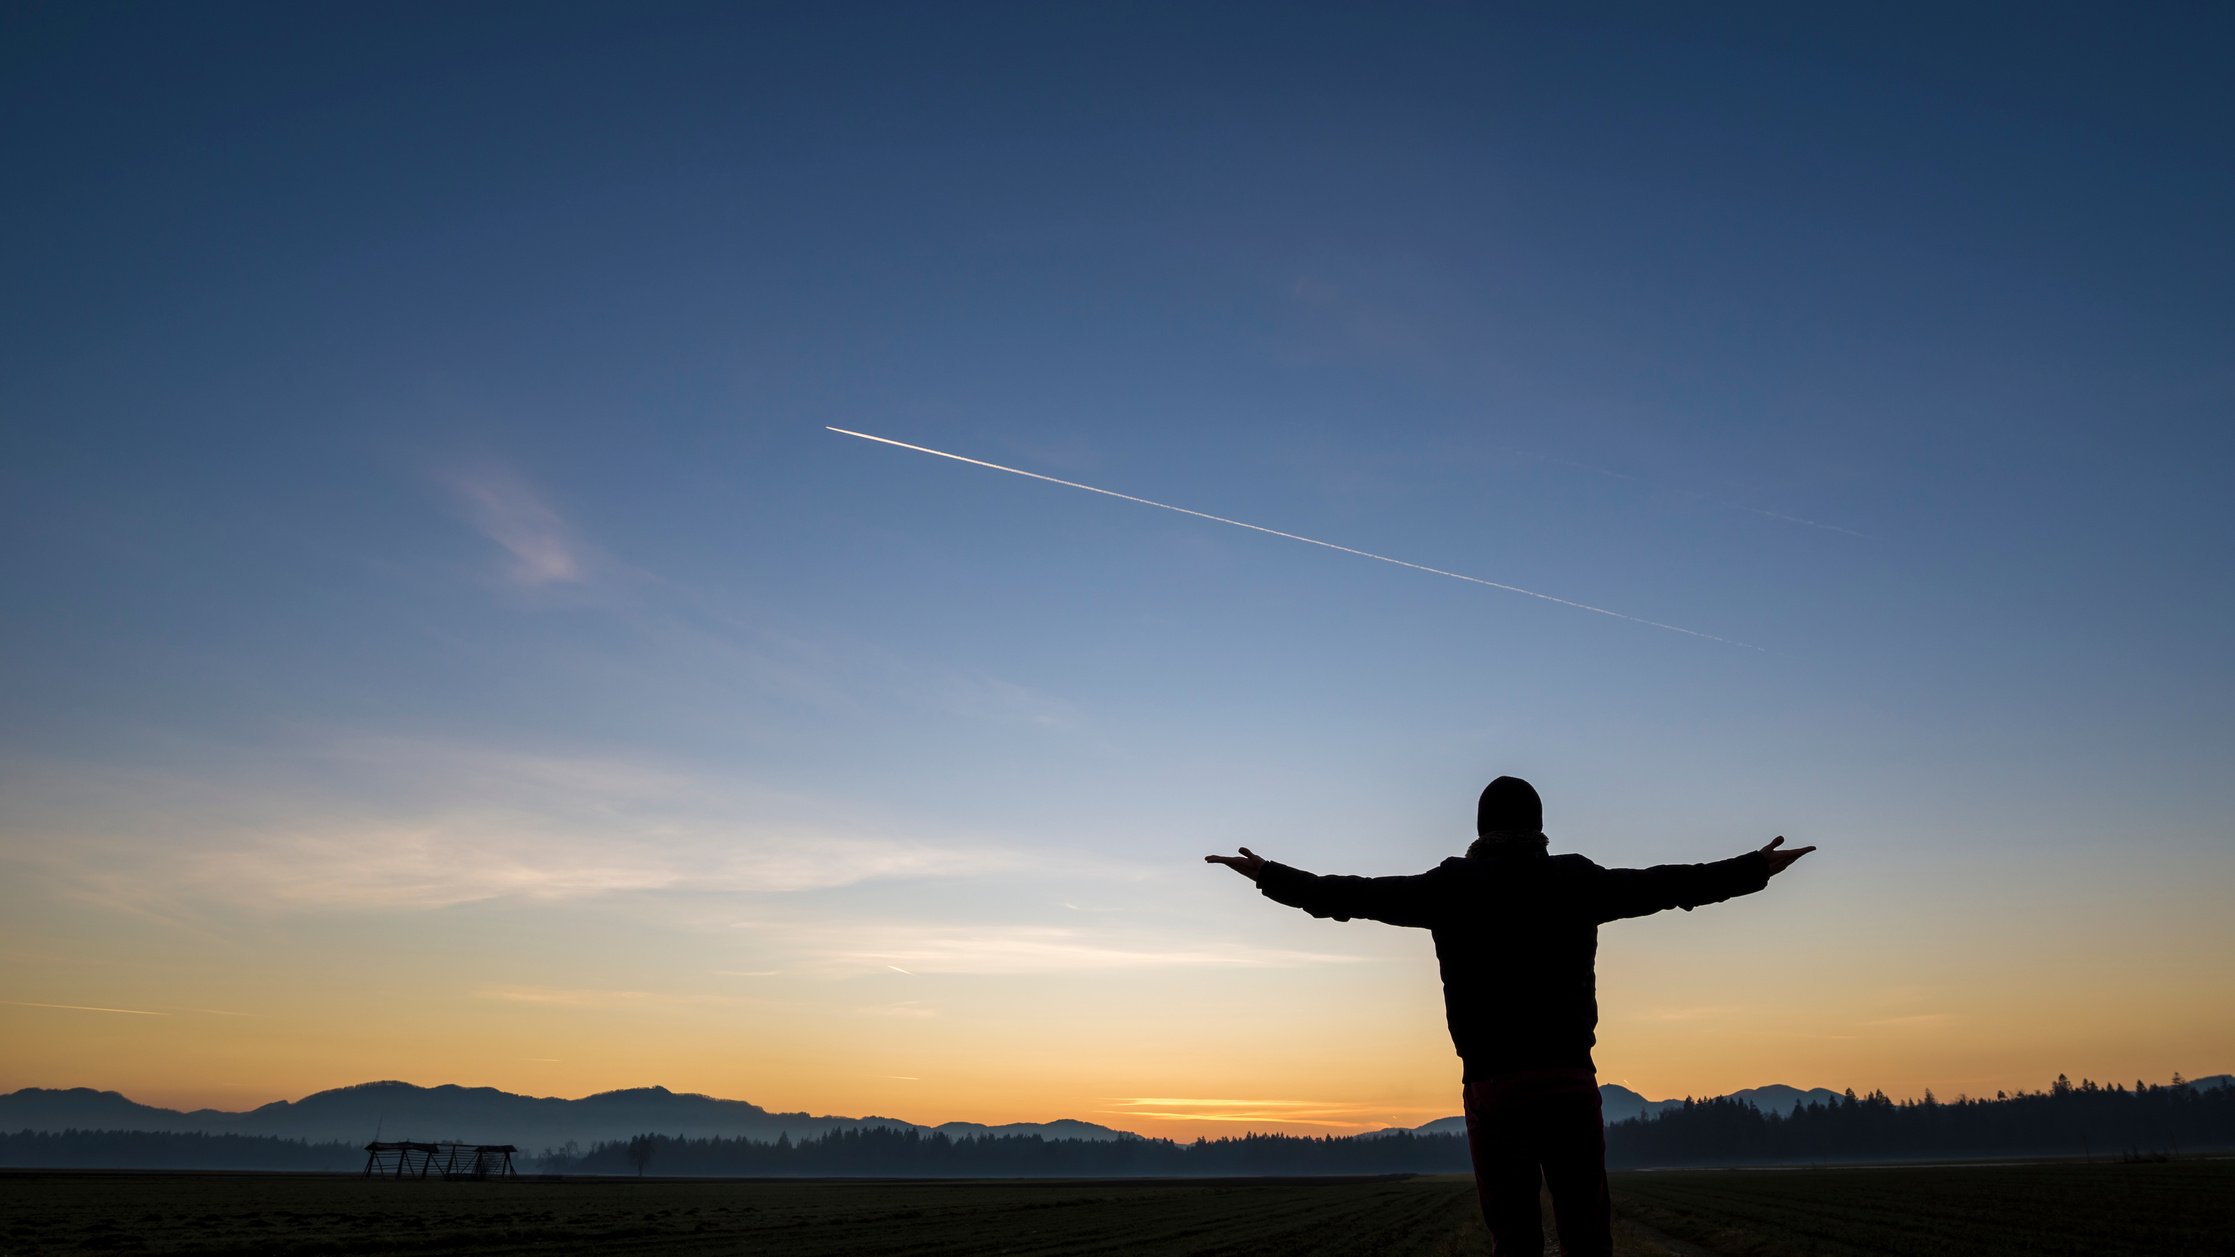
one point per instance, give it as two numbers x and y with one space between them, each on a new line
1516 936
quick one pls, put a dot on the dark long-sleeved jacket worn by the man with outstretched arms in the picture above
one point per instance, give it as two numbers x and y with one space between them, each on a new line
1516 936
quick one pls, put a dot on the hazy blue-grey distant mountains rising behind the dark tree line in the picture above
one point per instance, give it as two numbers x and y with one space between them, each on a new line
486 1115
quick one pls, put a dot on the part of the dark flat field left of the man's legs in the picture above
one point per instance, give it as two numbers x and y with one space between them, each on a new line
249 1213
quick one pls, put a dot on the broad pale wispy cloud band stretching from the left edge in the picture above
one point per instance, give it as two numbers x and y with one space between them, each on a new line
394 824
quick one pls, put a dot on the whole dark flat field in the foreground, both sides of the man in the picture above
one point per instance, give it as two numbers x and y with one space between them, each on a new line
1977 1211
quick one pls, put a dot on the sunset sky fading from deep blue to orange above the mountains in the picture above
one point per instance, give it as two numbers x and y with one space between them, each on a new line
446 643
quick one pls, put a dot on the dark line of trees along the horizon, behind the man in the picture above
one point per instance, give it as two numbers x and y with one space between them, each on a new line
2071 1119
